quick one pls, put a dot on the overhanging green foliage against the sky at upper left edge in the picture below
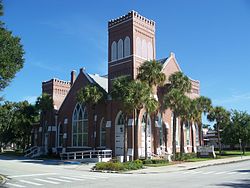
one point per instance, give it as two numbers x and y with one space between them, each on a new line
11 54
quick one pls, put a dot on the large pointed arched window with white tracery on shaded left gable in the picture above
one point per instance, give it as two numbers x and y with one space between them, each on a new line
80 126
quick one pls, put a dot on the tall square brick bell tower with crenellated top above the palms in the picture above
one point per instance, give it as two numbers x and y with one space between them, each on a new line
131 41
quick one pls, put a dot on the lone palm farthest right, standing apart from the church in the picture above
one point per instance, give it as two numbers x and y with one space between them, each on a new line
221 116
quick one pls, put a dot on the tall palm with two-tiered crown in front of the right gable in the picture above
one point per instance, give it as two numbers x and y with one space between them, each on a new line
178 86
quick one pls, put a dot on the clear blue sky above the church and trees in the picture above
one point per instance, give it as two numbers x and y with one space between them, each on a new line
211 40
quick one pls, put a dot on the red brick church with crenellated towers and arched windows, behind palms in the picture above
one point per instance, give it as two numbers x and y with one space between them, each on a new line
73 127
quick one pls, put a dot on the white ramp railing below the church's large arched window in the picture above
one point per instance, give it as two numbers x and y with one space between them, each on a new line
89 155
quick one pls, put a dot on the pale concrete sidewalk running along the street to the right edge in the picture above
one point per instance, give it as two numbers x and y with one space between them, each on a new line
189 165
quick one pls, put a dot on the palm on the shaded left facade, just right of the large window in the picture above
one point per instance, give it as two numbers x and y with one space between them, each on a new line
91 95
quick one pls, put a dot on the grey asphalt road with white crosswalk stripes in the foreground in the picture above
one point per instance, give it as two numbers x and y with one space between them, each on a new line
32 173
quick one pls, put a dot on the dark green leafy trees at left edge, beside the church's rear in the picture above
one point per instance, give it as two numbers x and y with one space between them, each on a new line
16 120
